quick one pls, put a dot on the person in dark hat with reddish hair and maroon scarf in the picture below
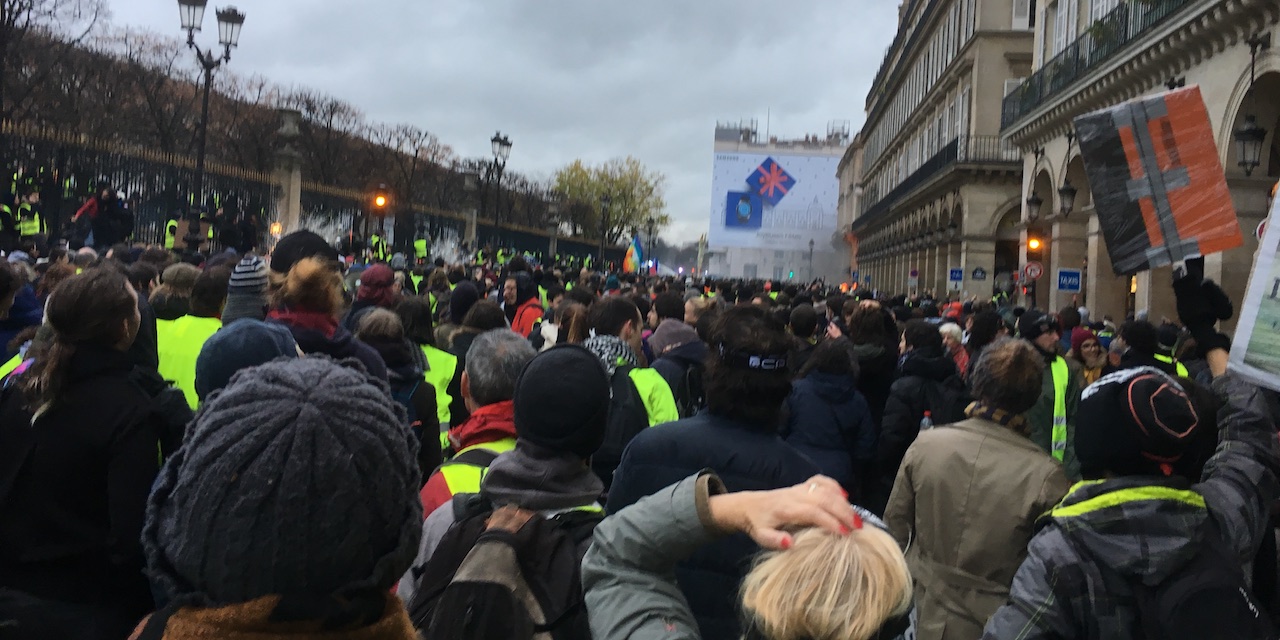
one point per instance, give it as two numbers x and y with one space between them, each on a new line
305 292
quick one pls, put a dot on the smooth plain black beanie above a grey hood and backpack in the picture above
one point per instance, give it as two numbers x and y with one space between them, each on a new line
563 401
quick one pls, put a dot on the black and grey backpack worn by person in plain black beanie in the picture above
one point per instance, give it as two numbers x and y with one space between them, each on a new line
488 583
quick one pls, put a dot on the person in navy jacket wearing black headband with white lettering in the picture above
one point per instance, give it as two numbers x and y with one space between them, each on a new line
747 386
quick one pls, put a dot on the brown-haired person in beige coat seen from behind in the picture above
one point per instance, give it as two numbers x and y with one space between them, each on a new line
988 474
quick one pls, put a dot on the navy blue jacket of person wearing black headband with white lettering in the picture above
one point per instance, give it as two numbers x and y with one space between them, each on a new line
747 458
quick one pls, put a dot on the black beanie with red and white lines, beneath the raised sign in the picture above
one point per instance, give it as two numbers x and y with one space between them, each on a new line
1137 422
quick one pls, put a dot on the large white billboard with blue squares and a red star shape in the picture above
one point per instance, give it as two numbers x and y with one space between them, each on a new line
774 200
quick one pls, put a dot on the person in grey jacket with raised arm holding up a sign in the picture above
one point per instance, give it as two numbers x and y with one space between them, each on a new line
1121 554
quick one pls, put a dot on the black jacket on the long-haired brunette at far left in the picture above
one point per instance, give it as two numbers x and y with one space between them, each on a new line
74 488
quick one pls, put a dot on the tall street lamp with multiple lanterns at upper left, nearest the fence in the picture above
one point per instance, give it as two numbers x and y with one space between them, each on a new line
230 22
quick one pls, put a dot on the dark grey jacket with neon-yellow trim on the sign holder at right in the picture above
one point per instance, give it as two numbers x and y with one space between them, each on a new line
1109 529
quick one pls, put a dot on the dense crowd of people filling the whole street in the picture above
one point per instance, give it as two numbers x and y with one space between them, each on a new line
249 446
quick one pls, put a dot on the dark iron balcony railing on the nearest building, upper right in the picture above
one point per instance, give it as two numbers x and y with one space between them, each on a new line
1104 40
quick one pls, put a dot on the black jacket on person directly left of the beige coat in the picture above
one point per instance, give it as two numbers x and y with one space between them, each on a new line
924 382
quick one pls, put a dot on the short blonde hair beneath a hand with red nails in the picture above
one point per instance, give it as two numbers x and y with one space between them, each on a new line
829 587
